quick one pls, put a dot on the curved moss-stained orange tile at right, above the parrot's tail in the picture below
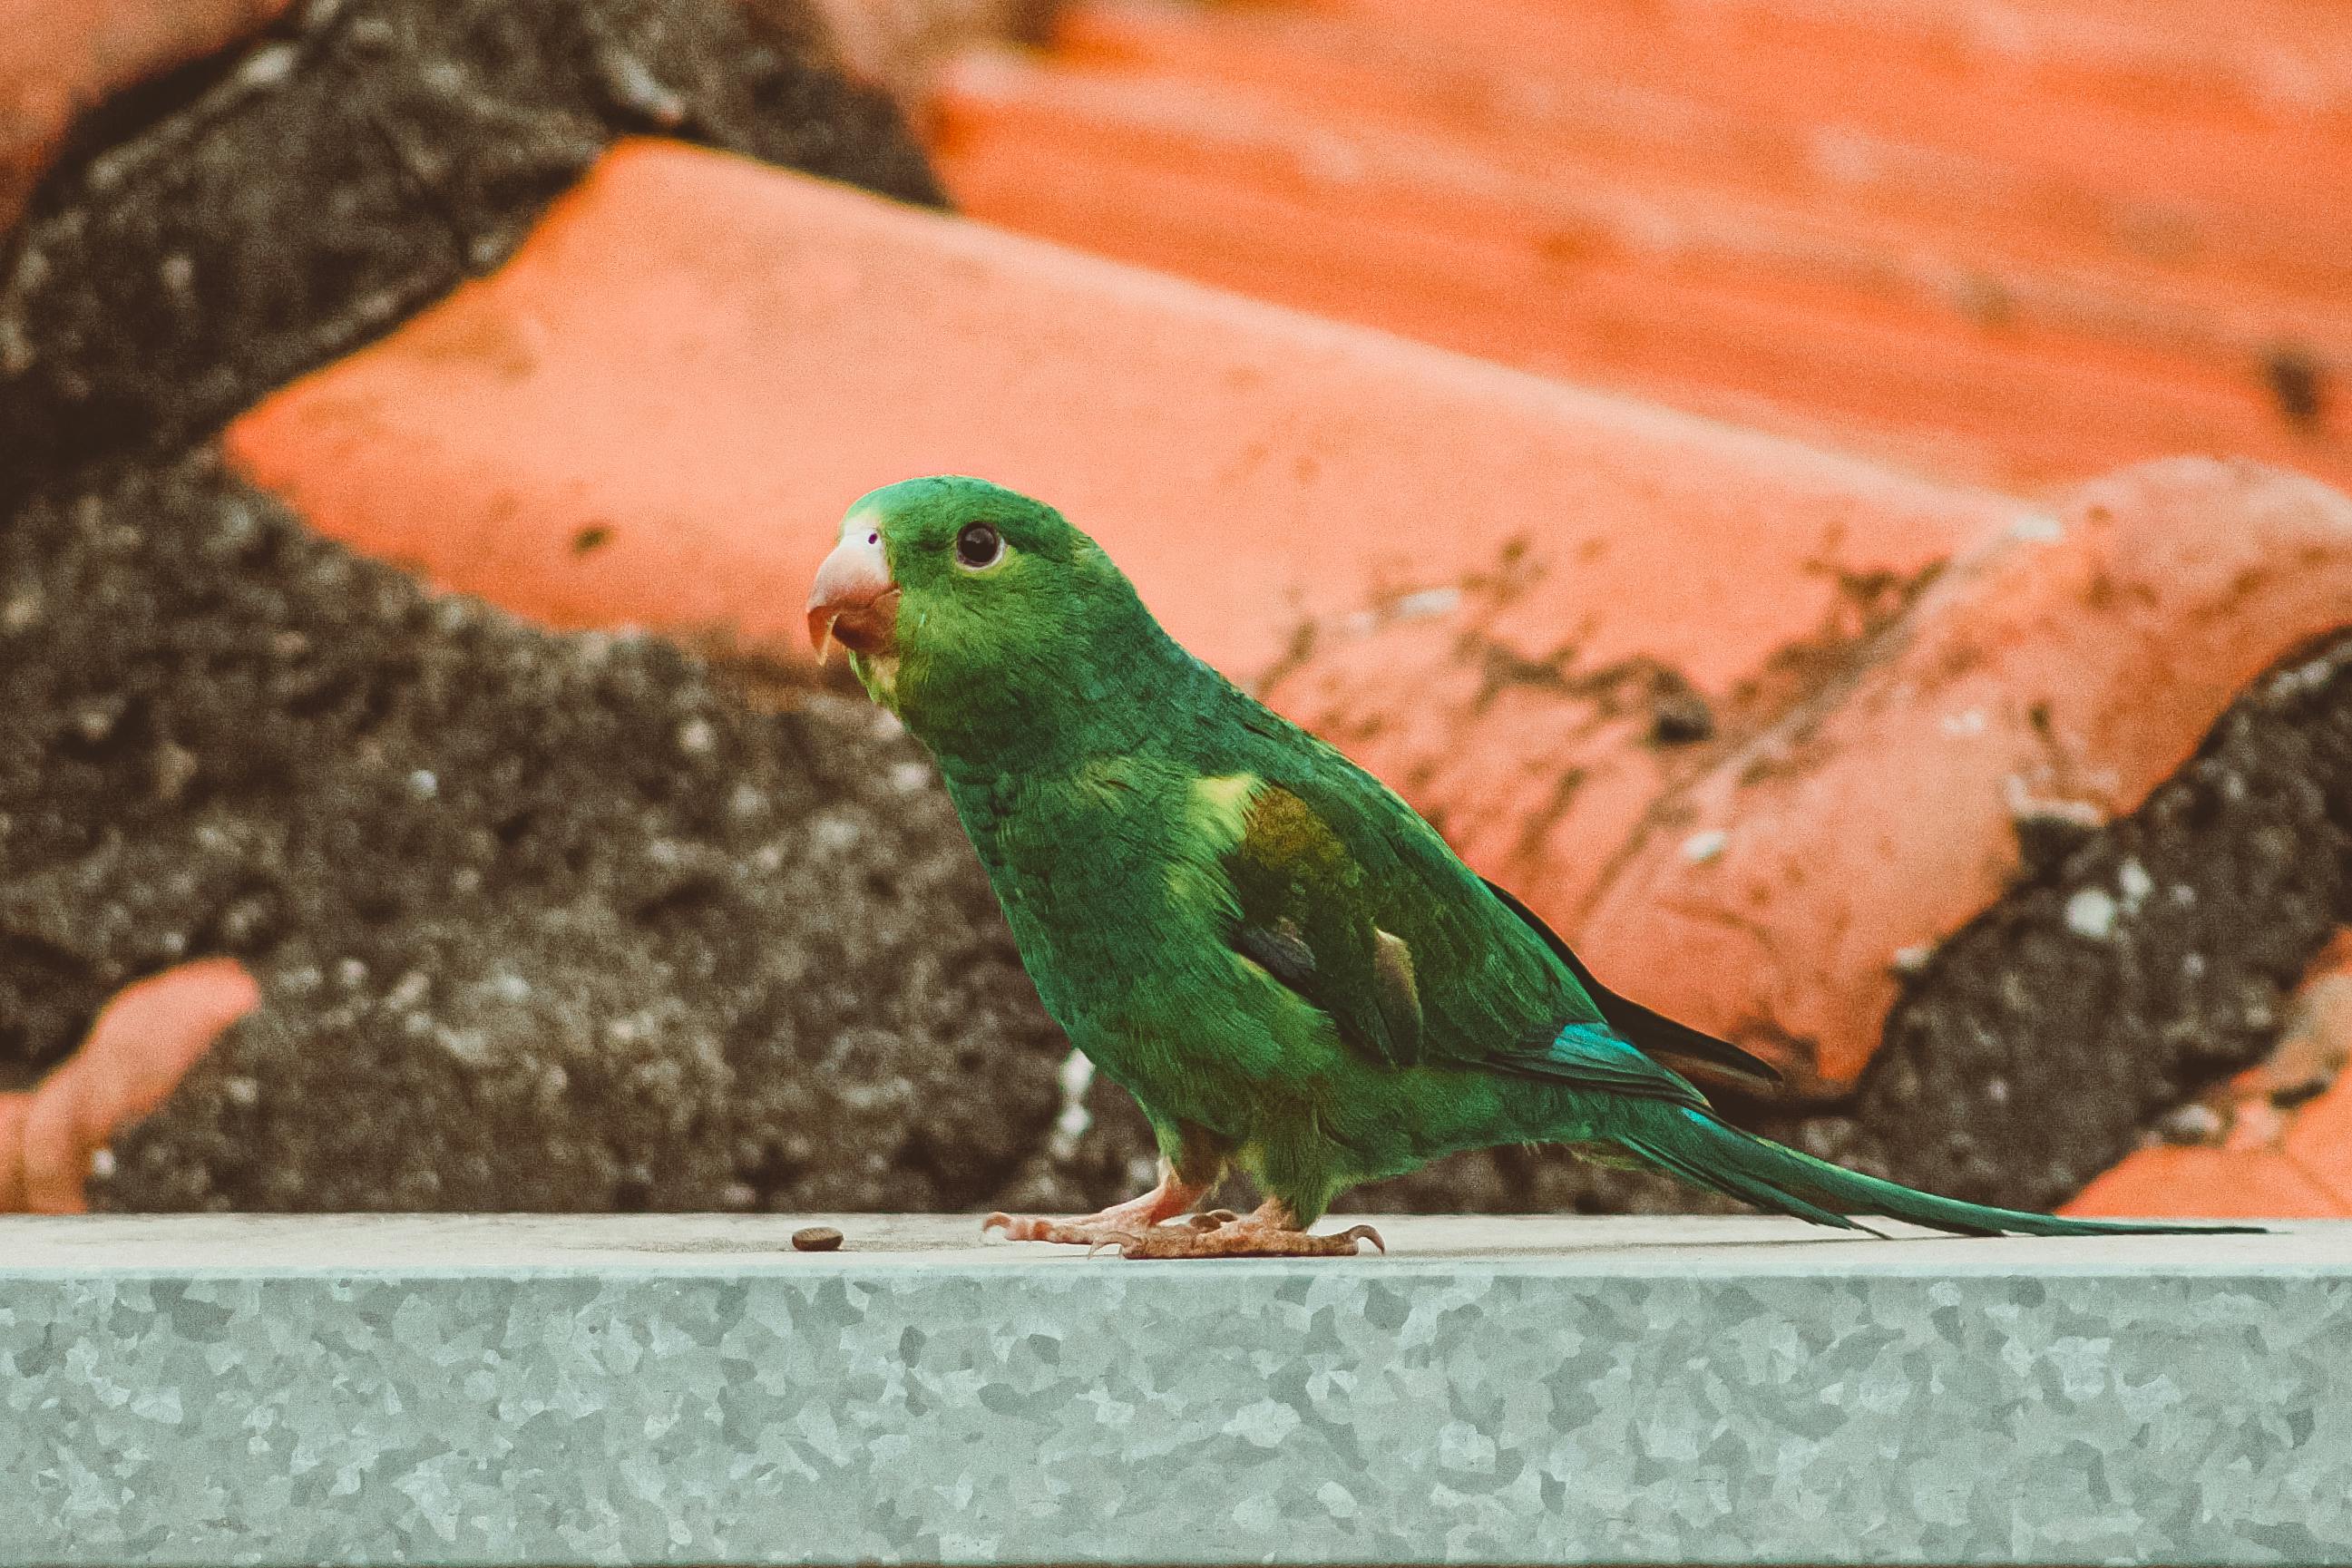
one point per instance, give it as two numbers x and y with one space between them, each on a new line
2076 662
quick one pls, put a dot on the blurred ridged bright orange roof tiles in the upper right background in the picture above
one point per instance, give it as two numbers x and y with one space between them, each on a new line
1965 304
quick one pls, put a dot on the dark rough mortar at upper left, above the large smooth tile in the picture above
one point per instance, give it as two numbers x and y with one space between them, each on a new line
250 217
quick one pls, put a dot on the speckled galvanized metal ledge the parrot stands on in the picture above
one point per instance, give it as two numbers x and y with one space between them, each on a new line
686 1391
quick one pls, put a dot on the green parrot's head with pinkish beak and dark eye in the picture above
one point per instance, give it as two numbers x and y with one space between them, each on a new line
977 615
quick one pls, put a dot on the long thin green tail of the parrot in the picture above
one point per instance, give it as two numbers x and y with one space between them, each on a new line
1699 1148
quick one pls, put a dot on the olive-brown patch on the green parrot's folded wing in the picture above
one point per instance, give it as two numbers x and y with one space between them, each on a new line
1307 920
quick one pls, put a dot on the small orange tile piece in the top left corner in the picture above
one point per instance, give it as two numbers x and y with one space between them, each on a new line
67 55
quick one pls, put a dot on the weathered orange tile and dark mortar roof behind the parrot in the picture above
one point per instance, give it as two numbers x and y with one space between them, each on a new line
1836 502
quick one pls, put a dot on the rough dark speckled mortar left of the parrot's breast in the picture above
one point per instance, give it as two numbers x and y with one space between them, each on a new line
542 923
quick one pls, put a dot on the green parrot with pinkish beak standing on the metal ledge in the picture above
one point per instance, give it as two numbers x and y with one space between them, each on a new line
1259 942
